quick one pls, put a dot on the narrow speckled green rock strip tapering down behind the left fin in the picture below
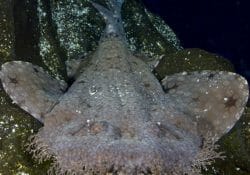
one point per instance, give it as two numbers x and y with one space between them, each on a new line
52 54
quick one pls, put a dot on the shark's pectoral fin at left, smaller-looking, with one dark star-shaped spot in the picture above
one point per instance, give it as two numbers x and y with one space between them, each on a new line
31 88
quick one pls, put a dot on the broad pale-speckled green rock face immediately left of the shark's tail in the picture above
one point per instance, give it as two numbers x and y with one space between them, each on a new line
78 26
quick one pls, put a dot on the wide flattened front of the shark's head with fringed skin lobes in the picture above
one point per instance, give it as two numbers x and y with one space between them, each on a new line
101 147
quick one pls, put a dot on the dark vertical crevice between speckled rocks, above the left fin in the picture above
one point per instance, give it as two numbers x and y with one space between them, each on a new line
26 32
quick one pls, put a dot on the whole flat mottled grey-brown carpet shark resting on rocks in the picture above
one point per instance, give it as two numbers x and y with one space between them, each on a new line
117 118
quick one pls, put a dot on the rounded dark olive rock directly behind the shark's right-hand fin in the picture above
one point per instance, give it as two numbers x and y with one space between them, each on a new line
189 60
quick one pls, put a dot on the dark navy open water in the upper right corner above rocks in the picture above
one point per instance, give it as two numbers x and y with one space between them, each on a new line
218 26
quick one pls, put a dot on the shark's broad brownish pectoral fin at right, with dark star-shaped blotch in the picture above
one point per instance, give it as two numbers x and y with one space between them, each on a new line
214 100
